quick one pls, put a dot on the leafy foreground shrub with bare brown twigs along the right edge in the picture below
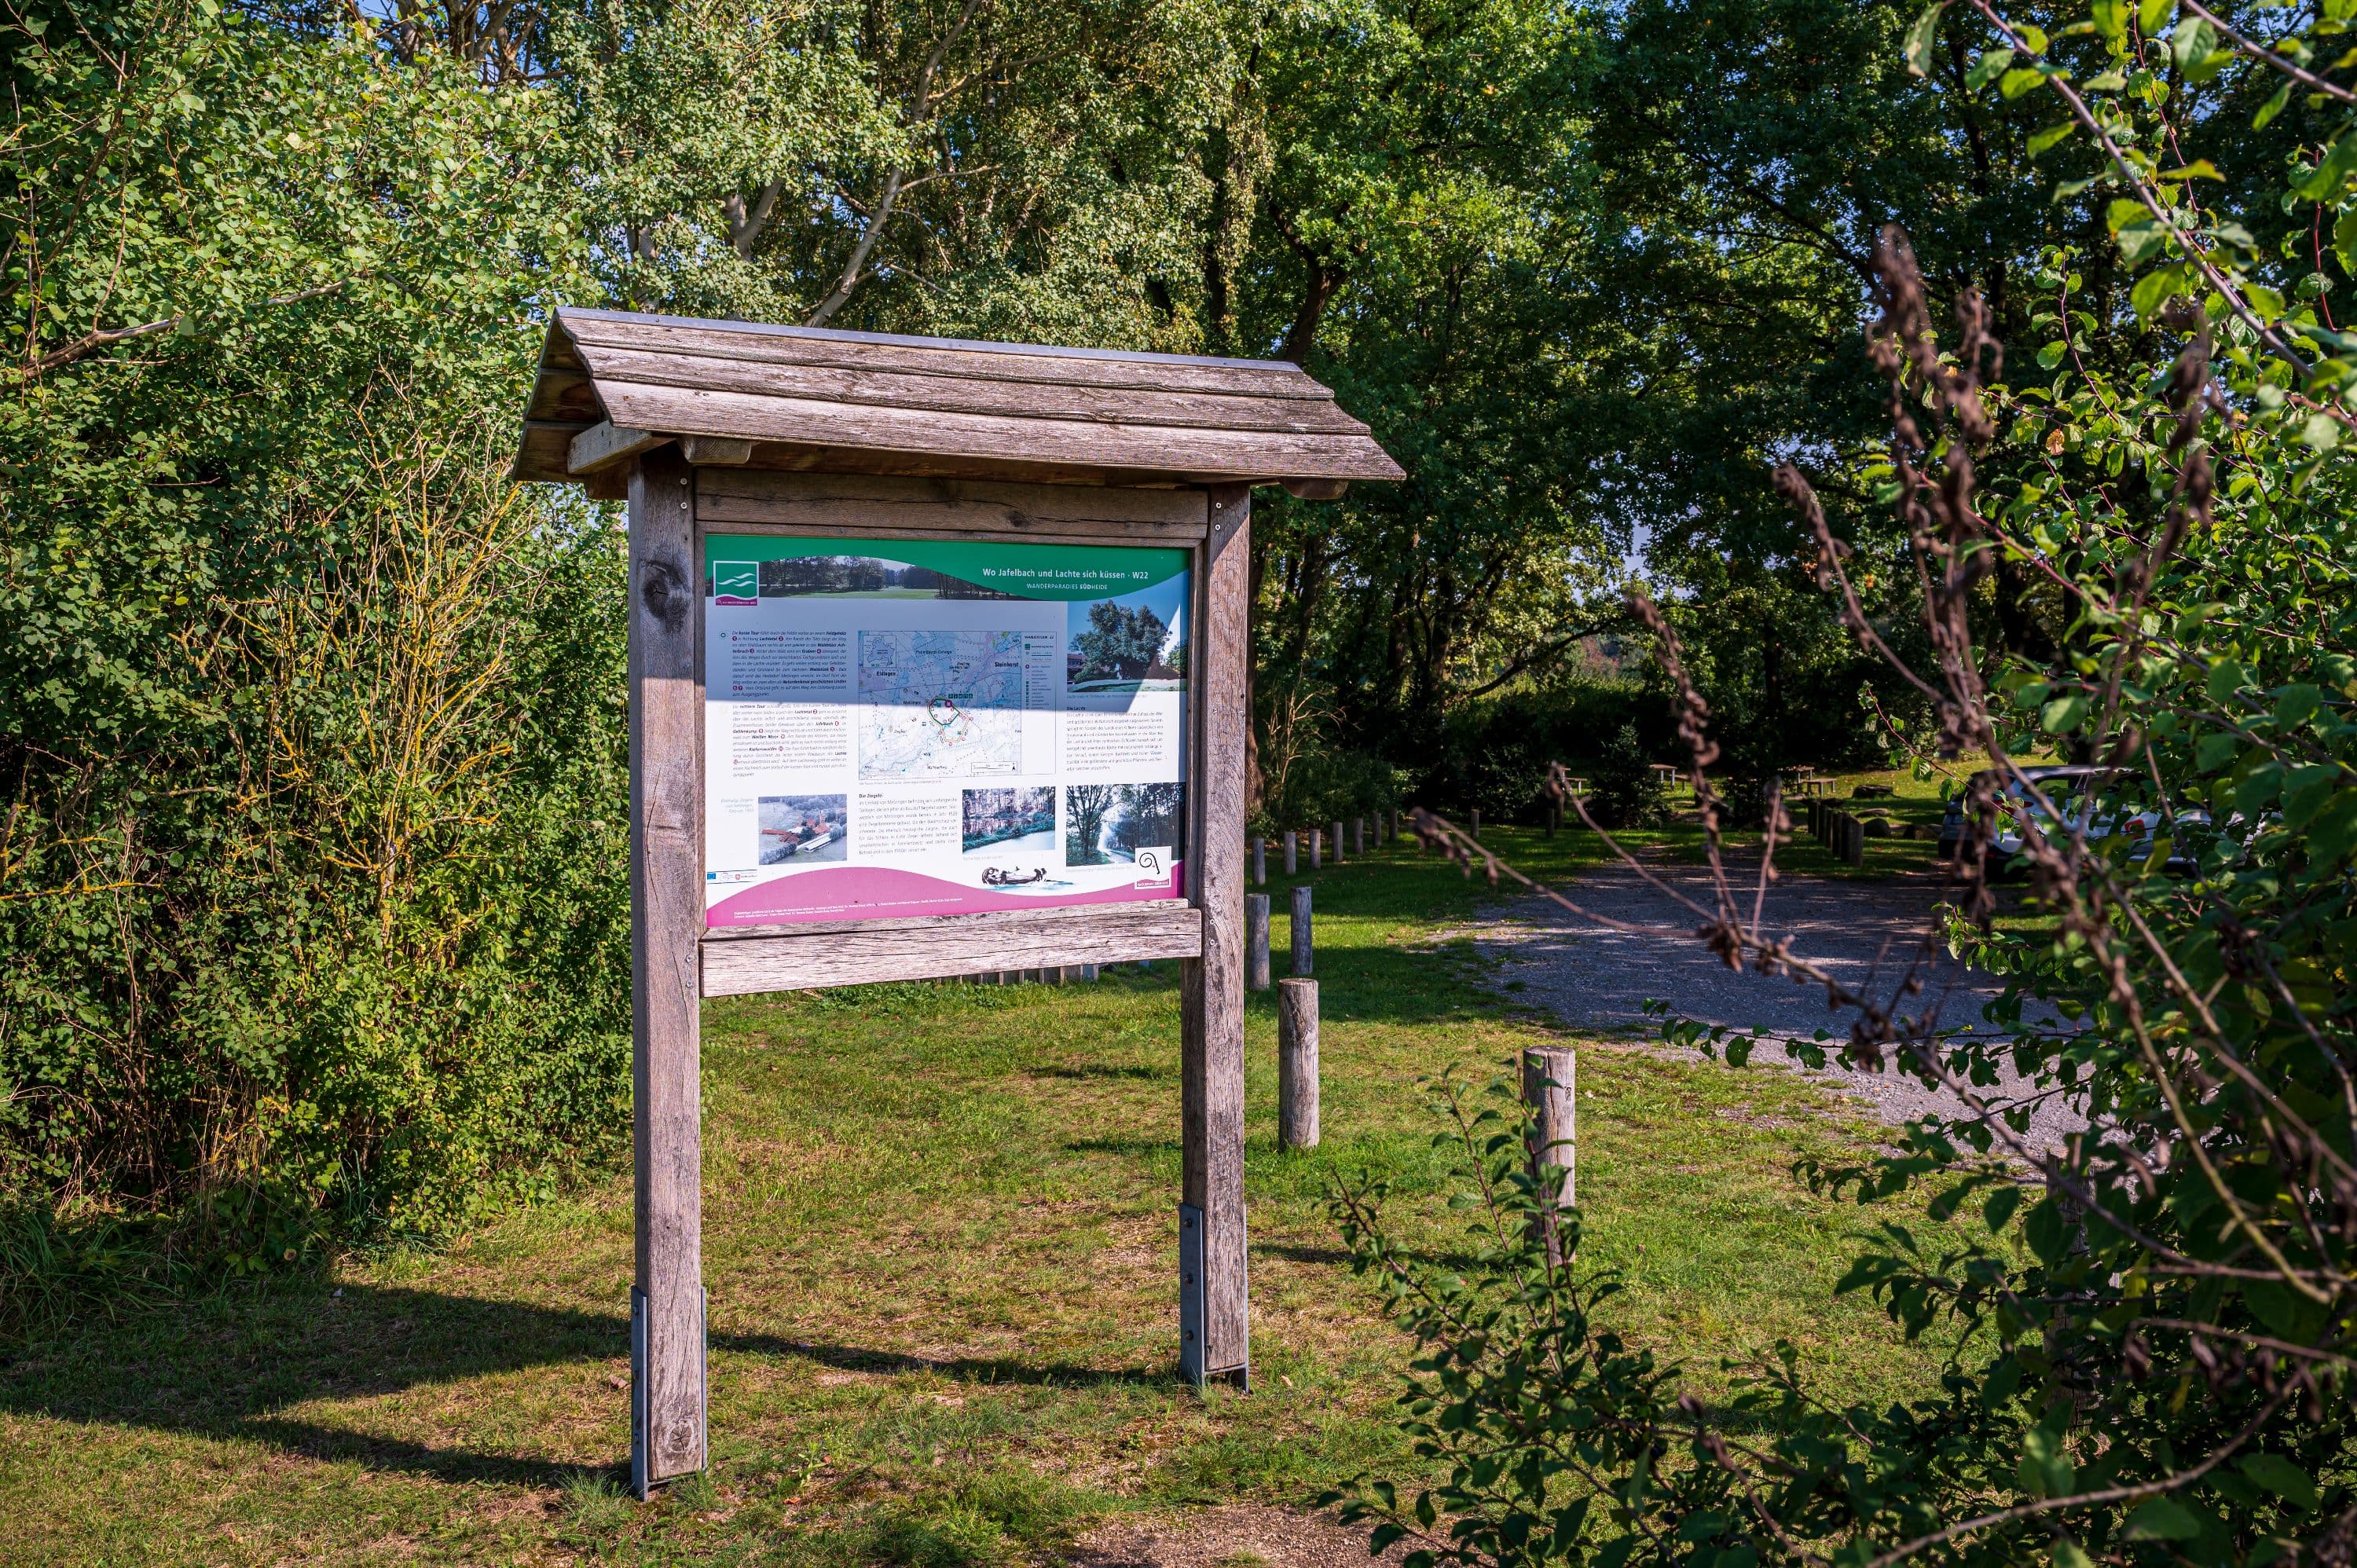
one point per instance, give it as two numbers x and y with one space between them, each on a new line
2153 1324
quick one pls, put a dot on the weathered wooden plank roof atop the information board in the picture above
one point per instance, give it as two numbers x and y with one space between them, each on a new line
614 386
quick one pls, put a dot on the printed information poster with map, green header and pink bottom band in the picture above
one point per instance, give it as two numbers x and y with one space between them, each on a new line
902 727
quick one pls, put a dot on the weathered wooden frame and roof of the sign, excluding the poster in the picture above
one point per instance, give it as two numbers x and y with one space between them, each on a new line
748 430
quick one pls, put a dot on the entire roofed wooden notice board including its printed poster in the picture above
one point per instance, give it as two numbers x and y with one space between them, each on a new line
812 518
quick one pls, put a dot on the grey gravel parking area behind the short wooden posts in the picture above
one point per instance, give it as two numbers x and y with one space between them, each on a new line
1863 933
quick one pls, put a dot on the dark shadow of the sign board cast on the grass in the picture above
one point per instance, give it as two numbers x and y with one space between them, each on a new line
239 1366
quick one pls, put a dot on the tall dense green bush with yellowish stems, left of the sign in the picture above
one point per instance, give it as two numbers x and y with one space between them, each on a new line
312 909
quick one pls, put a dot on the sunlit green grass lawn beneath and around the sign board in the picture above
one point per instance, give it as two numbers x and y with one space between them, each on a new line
942 1251
